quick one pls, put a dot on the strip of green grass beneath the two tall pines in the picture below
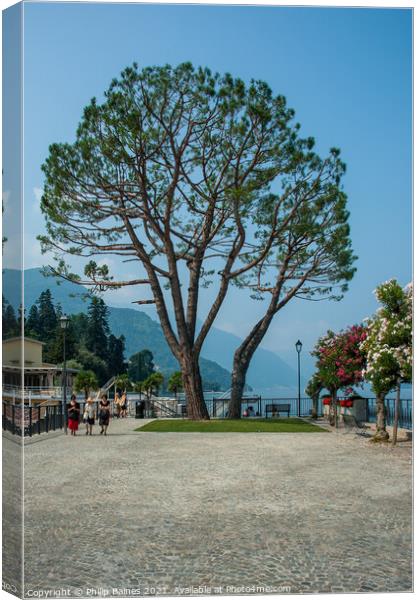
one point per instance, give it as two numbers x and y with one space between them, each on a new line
232 426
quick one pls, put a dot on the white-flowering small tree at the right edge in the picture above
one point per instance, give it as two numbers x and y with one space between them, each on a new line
389 351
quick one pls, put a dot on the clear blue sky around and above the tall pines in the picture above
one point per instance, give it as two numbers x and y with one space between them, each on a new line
346 72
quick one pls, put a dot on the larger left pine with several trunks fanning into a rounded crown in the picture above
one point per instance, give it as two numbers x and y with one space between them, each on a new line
168 171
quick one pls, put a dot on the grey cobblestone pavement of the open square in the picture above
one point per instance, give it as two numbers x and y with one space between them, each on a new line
166 512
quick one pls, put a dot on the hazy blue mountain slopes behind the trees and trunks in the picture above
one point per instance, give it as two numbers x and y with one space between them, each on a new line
267 370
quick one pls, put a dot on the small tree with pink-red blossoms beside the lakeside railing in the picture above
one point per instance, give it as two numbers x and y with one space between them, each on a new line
340 362
